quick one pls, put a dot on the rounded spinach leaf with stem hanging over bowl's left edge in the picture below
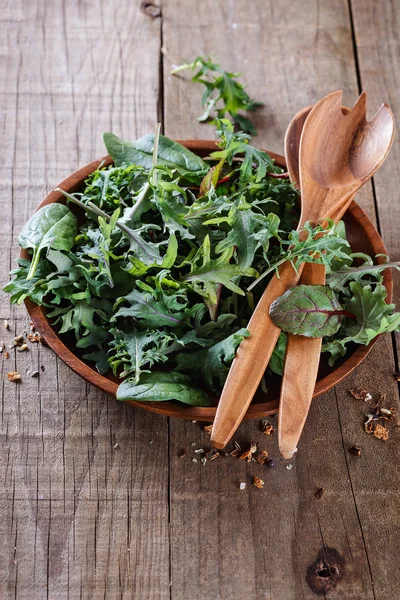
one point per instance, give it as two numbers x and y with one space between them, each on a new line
53 226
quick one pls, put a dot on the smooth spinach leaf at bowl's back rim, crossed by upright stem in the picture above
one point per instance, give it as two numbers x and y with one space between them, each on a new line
140 152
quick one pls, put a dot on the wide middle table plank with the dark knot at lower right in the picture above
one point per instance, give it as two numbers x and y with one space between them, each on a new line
260 544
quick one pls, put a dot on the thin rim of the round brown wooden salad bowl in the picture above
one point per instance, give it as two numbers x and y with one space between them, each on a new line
168 408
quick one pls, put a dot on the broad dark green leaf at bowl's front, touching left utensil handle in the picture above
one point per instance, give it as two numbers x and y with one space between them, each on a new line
211 365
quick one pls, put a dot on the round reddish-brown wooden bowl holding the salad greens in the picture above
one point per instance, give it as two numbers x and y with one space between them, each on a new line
362 236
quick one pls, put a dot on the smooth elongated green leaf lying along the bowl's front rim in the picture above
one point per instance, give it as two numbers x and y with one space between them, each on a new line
160 387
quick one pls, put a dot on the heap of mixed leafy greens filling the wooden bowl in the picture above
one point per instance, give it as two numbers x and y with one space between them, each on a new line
164 267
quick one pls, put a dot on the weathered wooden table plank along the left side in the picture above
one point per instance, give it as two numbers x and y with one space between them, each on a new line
84 492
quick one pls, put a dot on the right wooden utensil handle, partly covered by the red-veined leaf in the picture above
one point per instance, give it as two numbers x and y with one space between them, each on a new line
299 376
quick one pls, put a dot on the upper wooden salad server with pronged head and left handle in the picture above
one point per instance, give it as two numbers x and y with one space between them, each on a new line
337 154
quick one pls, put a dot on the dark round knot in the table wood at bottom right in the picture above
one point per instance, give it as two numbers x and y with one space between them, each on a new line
326 571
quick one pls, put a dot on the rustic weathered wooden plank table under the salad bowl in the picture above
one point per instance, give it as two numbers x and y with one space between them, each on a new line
94 501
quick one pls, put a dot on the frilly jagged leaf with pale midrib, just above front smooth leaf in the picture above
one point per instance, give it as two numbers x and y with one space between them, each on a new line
137 349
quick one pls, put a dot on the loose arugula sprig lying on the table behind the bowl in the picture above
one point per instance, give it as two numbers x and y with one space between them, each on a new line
222 92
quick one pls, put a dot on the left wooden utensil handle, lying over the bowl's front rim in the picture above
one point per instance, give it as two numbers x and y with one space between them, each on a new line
251 359
